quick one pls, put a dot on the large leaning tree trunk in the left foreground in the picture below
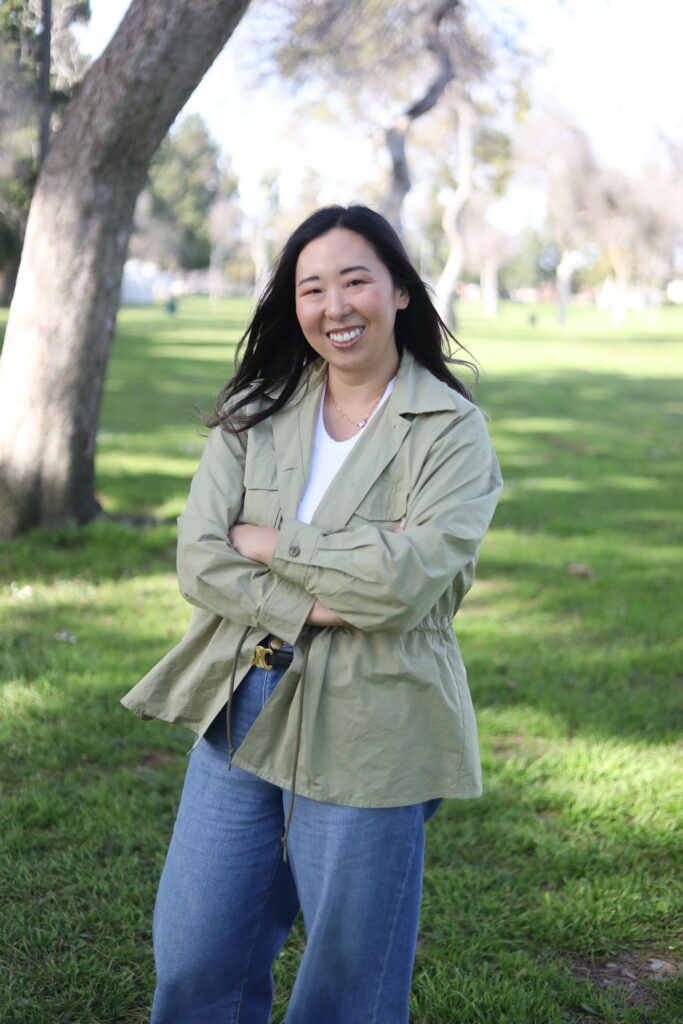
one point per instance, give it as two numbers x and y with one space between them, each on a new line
63 316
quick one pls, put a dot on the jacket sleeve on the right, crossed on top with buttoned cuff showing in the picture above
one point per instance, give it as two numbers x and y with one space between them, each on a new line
379 580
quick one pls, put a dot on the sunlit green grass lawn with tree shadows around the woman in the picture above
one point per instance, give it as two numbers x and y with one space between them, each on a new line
557 899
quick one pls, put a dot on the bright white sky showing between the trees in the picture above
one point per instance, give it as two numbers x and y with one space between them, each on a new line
617 64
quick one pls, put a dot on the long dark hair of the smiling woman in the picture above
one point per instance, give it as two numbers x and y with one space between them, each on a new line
273 353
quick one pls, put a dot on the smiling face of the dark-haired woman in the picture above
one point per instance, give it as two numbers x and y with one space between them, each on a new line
347 305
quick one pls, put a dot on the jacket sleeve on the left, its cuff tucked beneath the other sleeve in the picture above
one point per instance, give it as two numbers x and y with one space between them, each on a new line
211 574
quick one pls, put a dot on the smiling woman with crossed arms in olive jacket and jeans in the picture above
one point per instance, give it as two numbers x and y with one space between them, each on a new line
331 534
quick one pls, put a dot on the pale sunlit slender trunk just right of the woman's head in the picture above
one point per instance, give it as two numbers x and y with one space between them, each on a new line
446 286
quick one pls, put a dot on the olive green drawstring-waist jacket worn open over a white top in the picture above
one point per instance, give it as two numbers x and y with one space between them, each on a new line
387 718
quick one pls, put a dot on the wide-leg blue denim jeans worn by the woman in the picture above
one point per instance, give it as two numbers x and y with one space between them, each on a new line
228 901
